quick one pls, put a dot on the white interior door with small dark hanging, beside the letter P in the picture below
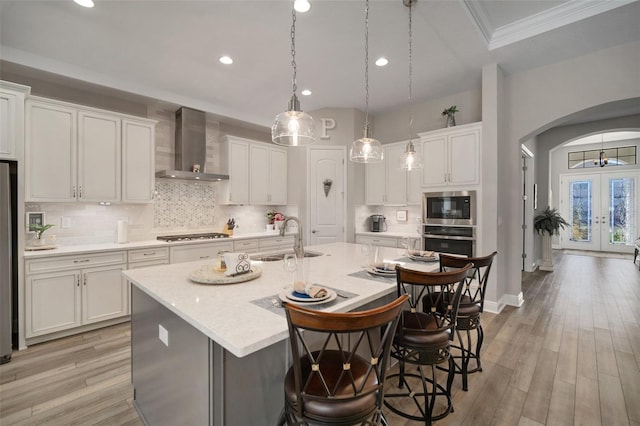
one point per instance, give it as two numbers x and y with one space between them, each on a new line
327 198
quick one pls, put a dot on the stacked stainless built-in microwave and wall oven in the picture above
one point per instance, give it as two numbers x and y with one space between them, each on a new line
449 222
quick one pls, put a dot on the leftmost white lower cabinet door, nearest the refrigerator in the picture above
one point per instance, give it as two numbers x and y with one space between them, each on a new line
53 302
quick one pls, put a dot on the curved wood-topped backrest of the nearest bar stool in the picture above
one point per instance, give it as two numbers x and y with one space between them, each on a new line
319 338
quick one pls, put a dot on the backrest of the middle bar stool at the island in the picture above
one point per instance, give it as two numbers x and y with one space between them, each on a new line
440 291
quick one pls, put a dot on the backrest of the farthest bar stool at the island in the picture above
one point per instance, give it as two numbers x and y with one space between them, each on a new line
476 281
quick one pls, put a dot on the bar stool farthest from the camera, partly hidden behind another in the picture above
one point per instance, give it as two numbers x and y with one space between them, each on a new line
471 306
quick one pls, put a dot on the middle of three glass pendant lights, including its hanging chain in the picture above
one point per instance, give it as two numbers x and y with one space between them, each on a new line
366 149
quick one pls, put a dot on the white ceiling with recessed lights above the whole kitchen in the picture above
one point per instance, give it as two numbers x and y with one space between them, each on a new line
169 50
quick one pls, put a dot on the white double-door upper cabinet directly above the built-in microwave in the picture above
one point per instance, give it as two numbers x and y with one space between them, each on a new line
453 156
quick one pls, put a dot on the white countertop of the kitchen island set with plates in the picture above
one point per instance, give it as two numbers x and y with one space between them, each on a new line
226 314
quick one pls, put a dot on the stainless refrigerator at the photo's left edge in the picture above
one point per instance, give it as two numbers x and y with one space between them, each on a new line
8 257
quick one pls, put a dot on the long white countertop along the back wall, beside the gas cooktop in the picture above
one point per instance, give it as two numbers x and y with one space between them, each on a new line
102 247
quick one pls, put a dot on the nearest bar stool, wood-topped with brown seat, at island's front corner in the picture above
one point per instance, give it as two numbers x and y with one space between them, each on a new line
339 365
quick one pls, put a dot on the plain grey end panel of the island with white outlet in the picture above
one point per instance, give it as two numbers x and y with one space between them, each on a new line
171 383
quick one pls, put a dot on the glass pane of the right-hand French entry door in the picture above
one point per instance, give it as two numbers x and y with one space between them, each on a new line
621 205
